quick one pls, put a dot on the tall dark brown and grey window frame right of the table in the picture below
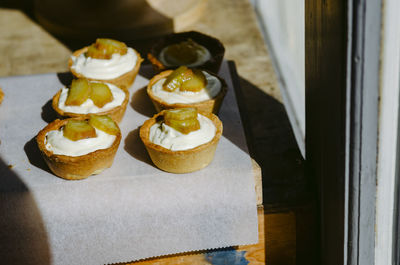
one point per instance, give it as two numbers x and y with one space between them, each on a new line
342 91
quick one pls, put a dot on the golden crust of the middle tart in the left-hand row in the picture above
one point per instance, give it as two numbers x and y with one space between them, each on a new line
116 113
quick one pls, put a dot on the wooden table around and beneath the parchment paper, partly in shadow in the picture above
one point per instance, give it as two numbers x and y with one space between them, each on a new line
287 226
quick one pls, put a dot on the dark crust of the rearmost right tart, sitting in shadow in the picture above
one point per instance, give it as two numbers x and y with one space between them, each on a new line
213 45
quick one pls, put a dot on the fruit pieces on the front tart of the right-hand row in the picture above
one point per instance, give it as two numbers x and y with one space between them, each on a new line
183 120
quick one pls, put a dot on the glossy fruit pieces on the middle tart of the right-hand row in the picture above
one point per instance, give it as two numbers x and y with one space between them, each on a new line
185 79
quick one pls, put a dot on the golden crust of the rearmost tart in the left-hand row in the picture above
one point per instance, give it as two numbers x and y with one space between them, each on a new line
125 80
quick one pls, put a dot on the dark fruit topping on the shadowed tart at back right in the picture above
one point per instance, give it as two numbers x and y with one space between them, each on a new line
185 52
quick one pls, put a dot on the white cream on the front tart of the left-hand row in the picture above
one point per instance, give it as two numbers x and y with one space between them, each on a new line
60 145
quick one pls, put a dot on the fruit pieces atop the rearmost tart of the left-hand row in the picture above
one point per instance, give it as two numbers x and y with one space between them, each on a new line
105 48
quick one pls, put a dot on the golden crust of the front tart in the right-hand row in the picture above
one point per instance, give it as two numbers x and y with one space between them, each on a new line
183 161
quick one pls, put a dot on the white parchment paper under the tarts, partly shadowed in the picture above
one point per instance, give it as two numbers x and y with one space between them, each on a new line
128 212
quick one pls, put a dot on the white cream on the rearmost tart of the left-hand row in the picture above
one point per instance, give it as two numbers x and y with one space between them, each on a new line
104 69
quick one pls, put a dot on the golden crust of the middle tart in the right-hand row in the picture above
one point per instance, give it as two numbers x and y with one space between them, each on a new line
208 106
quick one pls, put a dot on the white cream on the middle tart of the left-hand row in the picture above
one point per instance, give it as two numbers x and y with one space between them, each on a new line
88 106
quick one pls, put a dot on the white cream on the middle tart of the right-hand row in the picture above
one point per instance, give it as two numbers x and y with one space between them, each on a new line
210 91
